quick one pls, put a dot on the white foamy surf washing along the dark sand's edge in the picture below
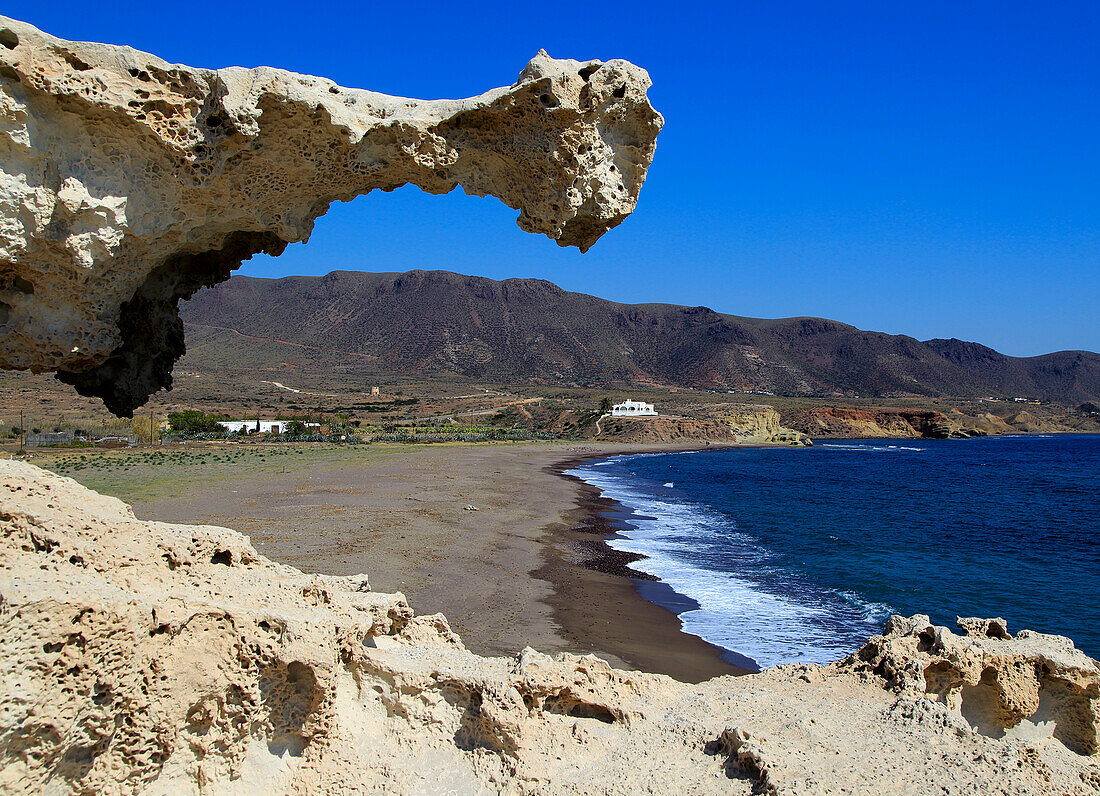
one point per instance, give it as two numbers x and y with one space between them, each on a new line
735 613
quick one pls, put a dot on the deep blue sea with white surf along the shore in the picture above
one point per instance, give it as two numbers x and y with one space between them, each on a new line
800 555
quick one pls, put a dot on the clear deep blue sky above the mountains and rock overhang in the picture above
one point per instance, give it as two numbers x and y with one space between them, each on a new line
928 169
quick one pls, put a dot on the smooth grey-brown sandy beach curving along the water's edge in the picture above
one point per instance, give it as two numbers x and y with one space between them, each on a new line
491 536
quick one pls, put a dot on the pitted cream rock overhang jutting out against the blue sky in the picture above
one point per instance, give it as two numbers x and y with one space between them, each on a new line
128 183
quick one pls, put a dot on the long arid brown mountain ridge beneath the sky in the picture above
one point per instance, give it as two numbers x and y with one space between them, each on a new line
438 323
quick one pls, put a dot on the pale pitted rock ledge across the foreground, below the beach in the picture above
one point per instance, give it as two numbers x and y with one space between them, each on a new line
151 658
